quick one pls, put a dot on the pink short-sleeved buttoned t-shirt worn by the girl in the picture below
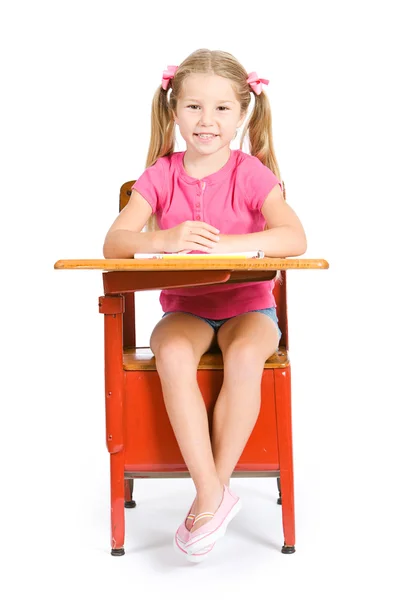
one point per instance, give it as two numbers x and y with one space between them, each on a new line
231 200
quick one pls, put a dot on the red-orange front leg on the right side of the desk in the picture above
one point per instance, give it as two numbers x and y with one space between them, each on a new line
284 425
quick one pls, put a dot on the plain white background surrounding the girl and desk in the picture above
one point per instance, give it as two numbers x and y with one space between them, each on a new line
78 80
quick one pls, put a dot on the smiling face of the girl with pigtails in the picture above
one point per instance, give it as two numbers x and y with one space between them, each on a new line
208 105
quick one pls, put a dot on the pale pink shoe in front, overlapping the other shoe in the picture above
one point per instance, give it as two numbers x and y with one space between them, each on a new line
215 528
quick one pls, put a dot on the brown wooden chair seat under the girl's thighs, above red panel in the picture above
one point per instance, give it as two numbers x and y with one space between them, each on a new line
142 359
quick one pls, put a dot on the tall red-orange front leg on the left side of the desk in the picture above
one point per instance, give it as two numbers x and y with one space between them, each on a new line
113 307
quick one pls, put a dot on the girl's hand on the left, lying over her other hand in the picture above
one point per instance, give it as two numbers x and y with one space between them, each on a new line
190 235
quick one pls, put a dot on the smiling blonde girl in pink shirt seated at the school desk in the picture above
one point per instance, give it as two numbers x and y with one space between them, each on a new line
210 199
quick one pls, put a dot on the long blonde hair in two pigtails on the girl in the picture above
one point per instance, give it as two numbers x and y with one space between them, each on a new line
211 62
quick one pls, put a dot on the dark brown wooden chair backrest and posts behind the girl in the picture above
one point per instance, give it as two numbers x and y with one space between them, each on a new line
279 291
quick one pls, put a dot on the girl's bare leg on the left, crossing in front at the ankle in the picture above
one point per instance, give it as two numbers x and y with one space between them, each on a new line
178 343
